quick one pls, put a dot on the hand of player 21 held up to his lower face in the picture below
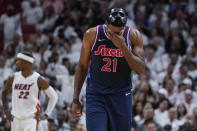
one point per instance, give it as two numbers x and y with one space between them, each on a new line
117 39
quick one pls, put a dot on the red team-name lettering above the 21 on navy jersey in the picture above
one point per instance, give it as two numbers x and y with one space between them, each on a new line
103 51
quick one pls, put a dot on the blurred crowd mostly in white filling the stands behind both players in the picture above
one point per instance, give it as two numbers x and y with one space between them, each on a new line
163 97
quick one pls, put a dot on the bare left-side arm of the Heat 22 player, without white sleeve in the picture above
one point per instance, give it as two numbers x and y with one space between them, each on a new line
6 91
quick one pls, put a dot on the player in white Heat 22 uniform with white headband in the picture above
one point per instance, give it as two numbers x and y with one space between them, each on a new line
26 85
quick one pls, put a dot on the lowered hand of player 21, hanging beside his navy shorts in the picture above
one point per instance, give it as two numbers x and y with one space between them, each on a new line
76 111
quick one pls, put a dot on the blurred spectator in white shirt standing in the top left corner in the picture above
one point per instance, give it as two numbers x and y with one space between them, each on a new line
11 25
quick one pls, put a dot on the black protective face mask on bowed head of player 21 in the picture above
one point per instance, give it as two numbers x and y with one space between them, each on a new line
117 17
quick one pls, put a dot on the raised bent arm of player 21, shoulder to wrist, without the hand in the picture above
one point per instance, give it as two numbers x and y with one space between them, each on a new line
135 58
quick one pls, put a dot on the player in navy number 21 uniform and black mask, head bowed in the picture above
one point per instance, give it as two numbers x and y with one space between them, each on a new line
113 50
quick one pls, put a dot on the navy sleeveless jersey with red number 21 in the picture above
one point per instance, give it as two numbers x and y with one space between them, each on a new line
109 71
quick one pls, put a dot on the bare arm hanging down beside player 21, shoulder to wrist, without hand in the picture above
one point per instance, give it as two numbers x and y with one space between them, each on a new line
82 68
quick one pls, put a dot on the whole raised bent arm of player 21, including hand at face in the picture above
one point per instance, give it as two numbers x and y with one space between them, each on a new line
134 57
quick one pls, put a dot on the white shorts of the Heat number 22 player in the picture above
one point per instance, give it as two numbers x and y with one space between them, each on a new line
29 124
